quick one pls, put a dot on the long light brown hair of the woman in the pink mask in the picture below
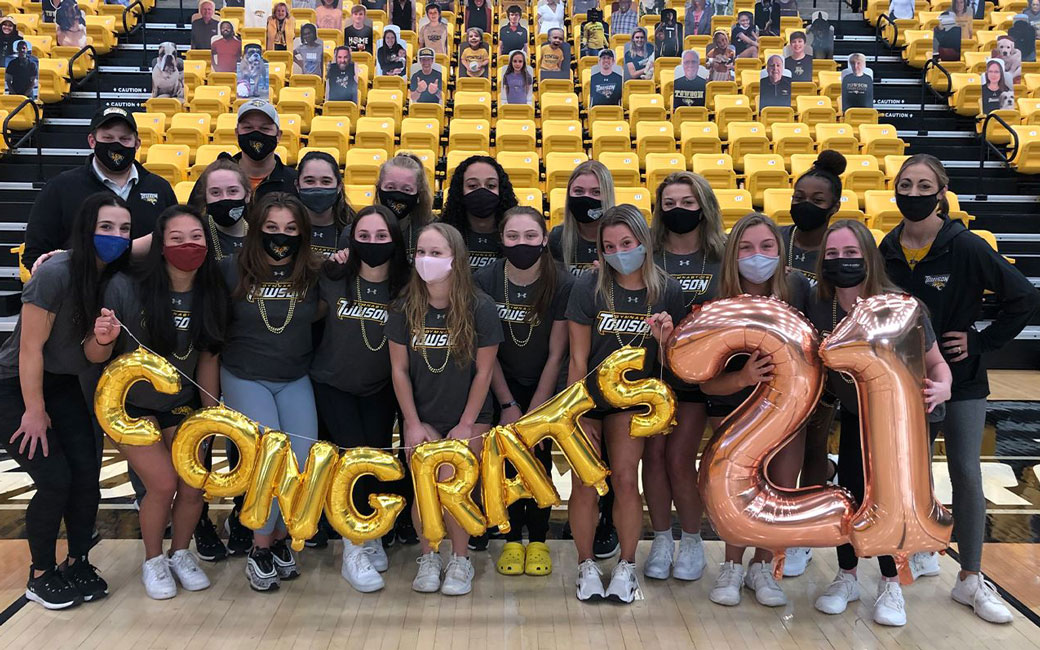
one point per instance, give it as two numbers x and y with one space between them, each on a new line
461 322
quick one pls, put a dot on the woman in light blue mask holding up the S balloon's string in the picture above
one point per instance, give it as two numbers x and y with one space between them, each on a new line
608 310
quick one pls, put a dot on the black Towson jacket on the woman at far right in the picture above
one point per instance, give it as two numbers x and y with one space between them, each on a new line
951 280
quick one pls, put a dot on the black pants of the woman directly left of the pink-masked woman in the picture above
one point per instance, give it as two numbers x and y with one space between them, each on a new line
358 422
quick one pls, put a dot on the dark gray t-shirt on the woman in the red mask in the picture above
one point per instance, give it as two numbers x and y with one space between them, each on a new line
123 297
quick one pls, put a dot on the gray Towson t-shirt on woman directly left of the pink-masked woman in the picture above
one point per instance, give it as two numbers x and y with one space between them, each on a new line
353 355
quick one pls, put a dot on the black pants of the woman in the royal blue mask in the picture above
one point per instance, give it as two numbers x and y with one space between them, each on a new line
68 479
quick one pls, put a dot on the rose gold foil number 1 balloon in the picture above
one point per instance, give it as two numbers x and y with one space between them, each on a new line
881 345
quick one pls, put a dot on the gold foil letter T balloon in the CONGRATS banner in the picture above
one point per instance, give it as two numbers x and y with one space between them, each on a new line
558 420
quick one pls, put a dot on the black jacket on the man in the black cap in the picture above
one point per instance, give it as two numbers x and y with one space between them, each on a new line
60 202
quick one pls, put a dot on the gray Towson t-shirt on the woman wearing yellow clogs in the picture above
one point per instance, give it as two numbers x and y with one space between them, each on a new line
524 363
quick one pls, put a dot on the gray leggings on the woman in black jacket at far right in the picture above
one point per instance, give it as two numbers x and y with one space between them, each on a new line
963 431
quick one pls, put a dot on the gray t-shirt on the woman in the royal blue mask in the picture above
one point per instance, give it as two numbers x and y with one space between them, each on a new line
49 290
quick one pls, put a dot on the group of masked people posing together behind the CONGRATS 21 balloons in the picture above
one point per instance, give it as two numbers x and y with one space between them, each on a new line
329 321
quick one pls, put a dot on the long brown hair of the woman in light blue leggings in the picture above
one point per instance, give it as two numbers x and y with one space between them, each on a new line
254 266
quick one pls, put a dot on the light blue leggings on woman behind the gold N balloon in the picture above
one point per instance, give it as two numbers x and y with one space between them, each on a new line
283 406
